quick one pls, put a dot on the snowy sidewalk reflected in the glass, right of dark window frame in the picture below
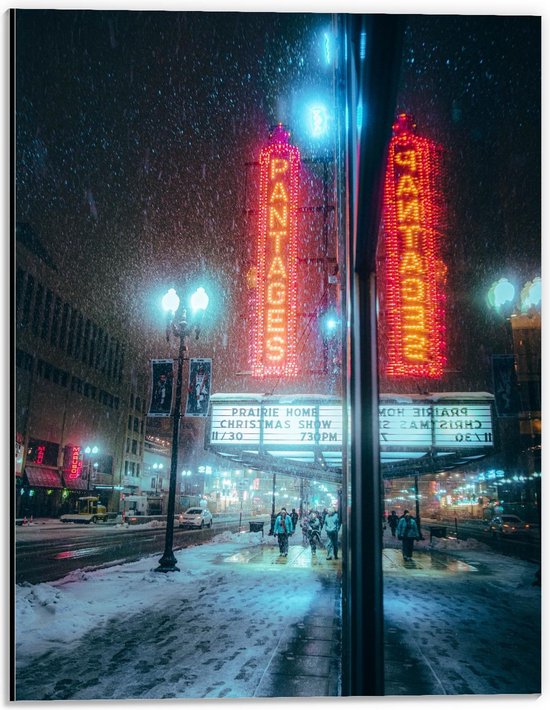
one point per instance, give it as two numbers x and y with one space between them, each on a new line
460 619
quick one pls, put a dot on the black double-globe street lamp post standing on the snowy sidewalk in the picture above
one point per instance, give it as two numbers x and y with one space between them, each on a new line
178 326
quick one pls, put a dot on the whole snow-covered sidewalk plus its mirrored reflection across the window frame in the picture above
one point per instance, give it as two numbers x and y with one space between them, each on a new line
238 621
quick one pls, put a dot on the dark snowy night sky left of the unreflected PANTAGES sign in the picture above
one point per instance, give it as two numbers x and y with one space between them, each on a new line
133 130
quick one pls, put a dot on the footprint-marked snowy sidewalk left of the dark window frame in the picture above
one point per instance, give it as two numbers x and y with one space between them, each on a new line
215 629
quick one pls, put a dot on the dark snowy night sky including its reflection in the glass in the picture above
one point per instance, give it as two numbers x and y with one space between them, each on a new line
133 129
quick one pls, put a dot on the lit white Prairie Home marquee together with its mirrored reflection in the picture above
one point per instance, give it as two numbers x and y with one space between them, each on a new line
302 434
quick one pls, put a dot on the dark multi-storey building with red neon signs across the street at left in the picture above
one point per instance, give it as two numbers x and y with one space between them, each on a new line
79 406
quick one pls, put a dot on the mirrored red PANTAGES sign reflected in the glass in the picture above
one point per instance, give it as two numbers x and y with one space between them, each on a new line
412 288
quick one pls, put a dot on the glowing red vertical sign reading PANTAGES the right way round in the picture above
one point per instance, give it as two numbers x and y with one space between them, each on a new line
275 333
